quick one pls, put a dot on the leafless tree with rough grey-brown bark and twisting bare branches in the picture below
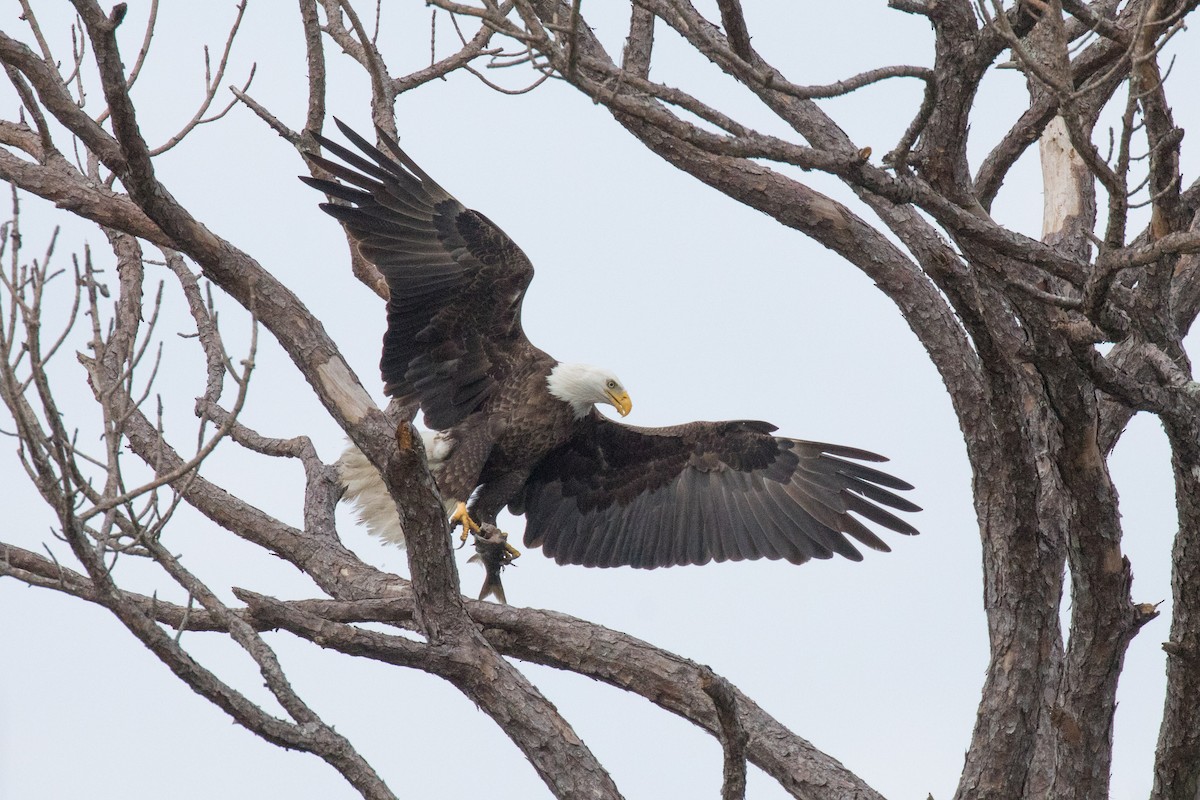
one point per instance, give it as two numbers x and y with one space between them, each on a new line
1046 346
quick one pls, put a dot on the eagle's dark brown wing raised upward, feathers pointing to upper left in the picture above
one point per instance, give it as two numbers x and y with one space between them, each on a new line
457 280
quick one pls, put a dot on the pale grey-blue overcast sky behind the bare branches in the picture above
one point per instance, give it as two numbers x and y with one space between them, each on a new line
706 310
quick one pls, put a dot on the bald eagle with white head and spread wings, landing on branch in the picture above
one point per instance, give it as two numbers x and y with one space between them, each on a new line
515 428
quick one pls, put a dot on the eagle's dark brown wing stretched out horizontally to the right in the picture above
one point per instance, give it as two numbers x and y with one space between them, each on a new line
619 496
